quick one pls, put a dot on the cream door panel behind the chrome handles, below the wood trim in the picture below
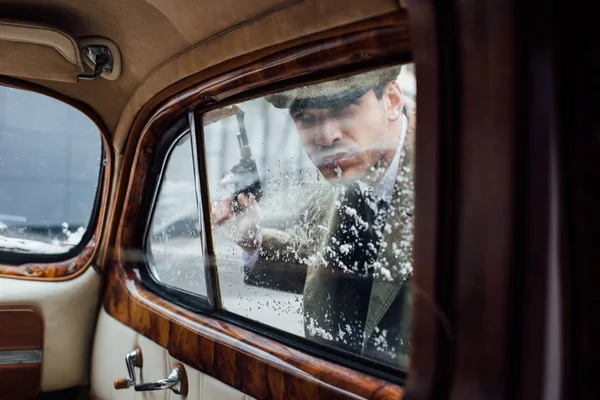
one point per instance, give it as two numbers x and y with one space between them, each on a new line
114 339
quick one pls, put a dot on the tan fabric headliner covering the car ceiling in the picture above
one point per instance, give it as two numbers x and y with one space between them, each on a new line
159 39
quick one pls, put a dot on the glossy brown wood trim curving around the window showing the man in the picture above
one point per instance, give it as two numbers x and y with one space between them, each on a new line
258 366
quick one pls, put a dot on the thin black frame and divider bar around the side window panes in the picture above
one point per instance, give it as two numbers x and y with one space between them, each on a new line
195 302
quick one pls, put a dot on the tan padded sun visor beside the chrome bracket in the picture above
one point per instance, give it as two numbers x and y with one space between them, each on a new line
32 50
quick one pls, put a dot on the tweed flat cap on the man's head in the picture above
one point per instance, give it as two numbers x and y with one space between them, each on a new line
334 94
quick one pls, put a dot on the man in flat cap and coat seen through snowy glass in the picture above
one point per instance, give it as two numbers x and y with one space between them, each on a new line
355 238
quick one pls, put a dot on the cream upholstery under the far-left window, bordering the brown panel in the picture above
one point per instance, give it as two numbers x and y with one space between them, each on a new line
69 309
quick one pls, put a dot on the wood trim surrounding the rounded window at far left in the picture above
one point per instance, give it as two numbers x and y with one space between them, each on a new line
75 266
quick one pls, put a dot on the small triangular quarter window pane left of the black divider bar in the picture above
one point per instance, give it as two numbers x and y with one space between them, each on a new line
174 245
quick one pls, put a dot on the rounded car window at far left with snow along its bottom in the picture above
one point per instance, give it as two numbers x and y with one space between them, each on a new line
50 163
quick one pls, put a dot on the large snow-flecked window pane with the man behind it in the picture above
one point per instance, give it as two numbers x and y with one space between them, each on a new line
311 211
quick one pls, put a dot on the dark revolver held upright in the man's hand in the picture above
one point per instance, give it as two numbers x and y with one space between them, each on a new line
244 175
